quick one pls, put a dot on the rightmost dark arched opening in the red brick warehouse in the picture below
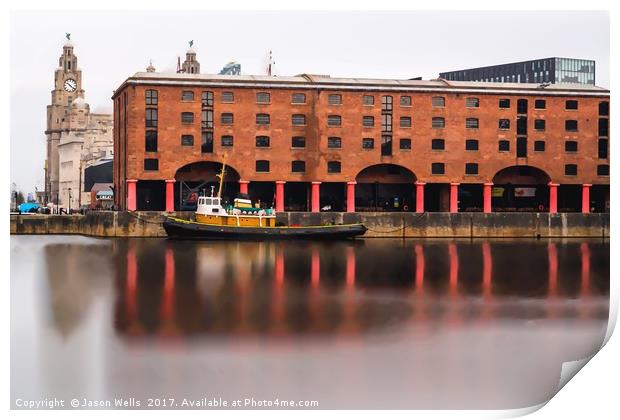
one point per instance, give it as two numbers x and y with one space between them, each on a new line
520 188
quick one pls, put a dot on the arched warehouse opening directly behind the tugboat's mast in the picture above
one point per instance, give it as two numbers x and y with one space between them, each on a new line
201 177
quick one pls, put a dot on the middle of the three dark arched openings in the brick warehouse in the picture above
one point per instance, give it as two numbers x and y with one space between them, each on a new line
385 187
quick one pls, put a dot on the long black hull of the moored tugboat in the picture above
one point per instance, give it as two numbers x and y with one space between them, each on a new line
185 229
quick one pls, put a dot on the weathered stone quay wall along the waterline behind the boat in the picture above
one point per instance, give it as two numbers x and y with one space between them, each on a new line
406 225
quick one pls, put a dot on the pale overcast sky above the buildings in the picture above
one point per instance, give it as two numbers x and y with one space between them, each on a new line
111 46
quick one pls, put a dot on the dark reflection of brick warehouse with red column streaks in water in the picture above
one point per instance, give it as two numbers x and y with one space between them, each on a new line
168 288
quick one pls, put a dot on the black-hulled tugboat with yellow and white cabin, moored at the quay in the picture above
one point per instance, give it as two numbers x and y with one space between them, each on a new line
242 220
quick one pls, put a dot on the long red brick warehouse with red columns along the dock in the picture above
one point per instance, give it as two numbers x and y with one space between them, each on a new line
307 142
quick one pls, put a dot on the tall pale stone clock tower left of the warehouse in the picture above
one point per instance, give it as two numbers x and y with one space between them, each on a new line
67 88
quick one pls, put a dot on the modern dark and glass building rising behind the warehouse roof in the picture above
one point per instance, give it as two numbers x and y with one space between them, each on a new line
545 70
